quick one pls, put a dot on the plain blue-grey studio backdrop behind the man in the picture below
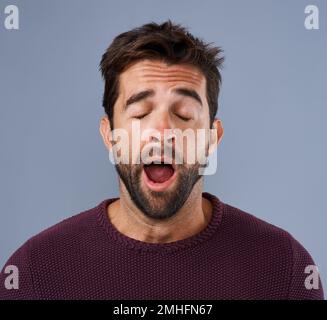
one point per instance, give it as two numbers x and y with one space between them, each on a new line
272 160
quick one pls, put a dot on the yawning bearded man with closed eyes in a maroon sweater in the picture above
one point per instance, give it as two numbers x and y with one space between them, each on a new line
163 238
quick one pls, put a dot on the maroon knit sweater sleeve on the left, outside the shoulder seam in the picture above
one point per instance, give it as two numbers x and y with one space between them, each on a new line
16 282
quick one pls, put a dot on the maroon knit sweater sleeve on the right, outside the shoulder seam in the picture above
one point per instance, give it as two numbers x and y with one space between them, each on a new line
305 282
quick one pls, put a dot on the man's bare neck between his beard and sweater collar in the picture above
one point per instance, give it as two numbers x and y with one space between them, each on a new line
188 221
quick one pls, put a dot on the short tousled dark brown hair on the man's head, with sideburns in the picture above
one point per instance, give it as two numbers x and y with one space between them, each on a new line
168 42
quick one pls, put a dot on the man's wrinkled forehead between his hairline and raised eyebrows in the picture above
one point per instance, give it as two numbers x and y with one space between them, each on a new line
152 72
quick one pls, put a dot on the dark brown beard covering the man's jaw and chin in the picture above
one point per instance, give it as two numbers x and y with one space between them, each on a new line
159 205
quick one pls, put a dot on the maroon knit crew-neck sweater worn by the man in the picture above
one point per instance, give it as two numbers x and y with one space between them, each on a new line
236 256
